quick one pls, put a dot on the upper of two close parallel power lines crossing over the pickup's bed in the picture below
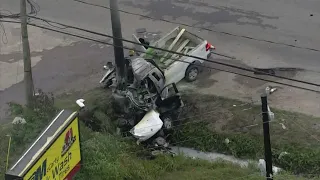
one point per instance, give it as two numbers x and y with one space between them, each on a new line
177 53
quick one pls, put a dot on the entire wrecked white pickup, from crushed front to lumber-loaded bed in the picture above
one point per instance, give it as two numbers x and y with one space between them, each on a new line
149 106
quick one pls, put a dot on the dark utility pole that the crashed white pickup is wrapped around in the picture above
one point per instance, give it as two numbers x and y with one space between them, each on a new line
118 46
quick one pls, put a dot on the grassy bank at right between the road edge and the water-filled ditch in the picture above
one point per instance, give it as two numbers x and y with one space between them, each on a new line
217 119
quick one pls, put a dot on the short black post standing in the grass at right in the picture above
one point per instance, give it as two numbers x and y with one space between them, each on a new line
266 135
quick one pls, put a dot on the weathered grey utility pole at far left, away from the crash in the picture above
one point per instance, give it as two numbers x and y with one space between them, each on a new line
29 88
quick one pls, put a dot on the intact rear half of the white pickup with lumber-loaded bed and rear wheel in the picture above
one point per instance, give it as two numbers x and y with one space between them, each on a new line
176 67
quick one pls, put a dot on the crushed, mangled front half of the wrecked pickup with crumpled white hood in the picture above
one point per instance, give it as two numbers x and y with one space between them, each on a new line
147 107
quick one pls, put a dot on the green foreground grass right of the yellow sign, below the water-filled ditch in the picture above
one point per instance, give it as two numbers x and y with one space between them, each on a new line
109 157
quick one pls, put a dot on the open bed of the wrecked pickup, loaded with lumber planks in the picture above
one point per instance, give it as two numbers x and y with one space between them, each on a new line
178 40
